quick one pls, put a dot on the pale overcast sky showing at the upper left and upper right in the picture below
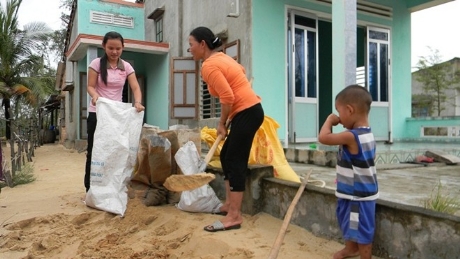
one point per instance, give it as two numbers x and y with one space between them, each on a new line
433 27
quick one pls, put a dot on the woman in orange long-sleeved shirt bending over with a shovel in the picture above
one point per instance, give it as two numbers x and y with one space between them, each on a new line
227 80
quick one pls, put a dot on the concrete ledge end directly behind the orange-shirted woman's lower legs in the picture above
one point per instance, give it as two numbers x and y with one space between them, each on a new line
252 201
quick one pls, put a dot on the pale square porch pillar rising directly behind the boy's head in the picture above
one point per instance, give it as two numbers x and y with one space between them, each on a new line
343 45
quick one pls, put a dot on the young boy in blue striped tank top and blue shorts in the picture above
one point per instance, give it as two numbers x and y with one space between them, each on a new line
357 188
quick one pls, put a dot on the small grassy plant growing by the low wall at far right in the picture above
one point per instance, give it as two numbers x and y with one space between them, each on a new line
440 200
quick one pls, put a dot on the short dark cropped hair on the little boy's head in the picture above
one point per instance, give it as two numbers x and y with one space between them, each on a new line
356 95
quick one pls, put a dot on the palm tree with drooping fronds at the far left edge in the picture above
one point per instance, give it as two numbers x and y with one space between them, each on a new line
20 65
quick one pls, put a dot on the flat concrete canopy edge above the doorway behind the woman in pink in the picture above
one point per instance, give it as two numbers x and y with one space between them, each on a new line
79 47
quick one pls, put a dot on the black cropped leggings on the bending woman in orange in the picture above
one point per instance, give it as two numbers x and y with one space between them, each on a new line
234 155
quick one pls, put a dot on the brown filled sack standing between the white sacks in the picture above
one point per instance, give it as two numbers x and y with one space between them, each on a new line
155 162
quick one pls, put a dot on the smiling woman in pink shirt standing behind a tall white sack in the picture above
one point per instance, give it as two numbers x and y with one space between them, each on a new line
106 77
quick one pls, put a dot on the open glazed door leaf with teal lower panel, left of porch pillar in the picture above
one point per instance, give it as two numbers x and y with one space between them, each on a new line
302 77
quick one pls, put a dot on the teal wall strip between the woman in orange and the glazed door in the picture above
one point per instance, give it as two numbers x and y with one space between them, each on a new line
269 59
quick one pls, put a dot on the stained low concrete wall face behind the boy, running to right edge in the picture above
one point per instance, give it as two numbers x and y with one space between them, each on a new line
402 231
